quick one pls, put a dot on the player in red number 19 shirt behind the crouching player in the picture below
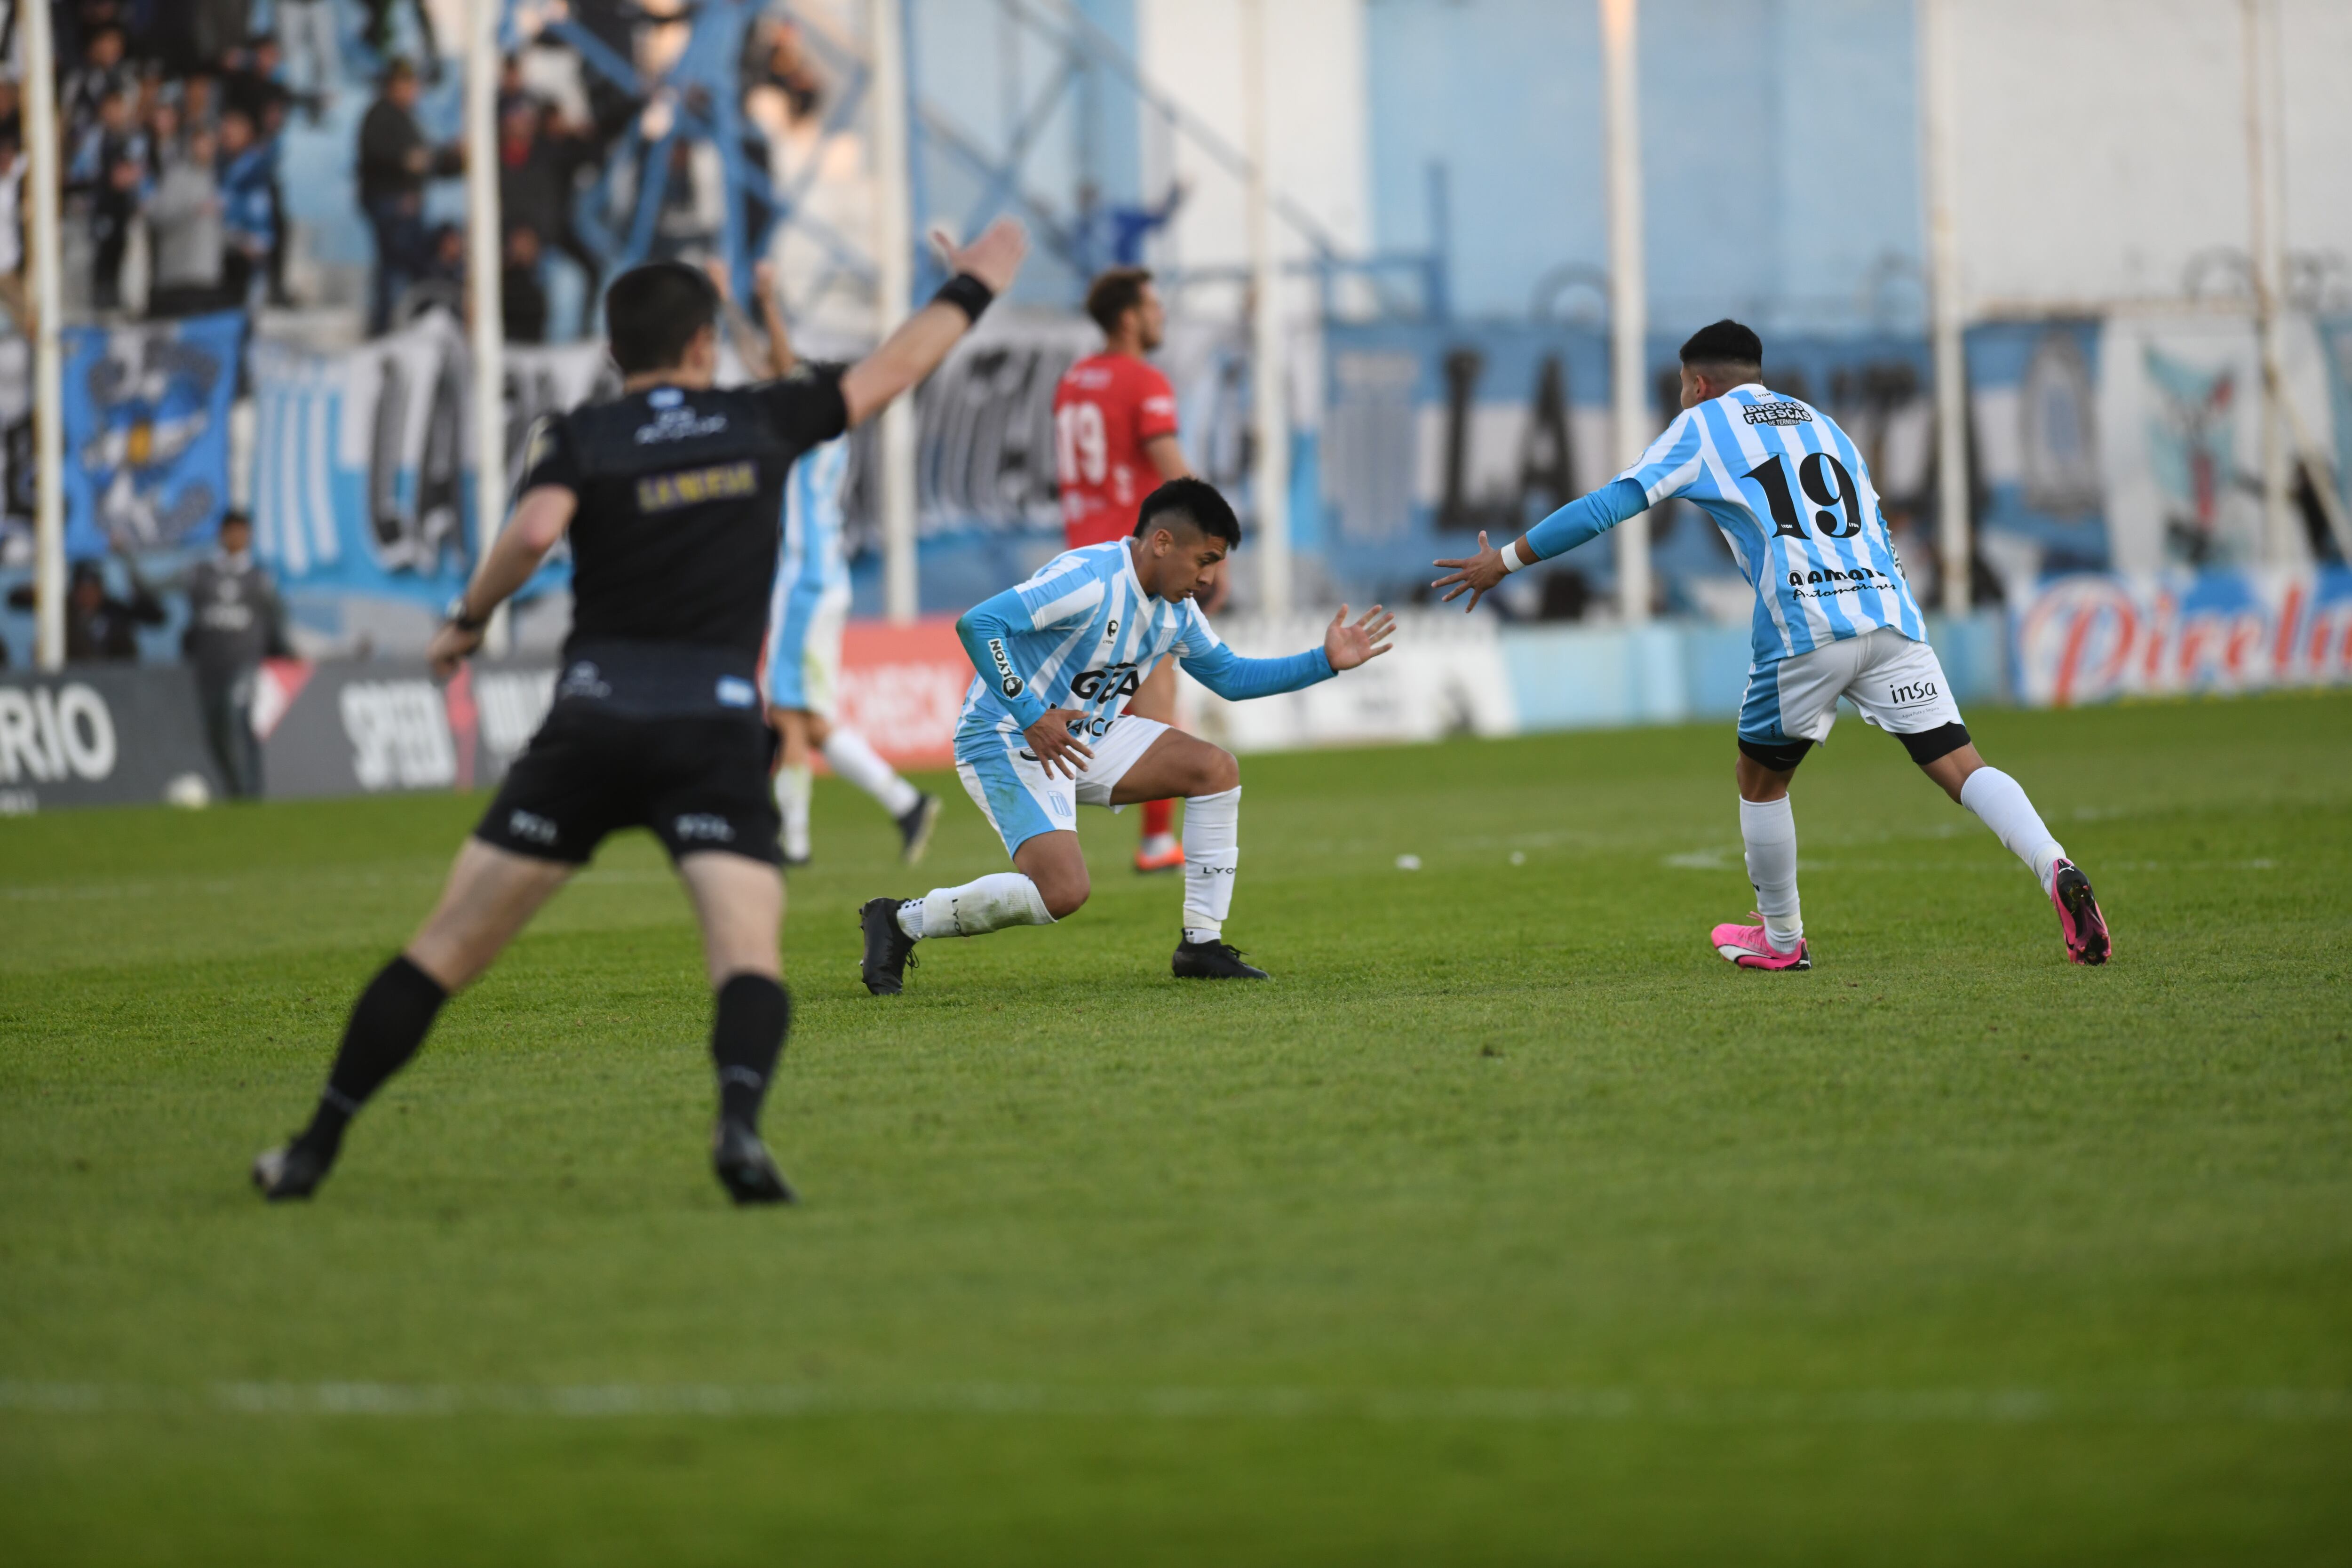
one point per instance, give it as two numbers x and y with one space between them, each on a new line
1114 441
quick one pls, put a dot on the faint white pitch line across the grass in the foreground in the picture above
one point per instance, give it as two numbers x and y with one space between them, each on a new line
1514 1407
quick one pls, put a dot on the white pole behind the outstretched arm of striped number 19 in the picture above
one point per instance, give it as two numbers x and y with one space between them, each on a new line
1629 295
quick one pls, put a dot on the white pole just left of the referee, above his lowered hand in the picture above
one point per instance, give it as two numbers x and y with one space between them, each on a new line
486 276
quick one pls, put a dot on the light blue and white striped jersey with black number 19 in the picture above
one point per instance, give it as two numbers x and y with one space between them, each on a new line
1796 504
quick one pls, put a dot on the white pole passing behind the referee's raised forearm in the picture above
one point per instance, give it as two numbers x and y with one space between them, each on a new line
895 286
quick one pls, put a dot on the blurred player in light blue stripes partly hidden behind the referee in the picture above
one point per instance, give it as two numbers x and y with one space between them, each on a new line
803 655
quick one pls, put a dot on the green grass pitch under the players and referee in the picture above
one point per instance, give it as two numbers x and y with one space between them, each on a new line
1506 1224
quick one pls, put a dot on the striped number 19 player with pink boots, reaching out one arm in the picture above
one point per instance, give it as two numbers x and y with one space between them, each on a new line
1833 619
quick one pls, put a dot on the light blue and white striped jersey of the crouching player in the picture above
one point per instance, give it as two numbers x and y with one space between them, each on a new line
1083 634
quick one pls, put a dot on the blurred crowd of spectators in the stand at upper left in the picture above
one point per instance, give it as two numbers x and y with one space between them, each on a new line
173 121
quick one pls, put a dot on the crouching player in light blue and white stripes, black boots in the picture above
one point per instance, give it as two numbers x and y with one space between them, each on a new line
1043 732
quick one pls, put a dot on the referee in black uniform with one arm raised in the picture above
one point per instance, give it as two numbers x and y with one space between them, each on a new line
671 497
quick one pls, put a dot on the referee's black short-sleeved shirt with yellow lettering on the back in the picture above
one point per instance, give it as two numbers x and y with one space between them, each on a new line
681 509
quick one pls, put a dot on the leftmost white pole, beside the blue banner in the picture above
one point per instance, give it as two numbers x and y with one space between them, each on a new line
48 361
